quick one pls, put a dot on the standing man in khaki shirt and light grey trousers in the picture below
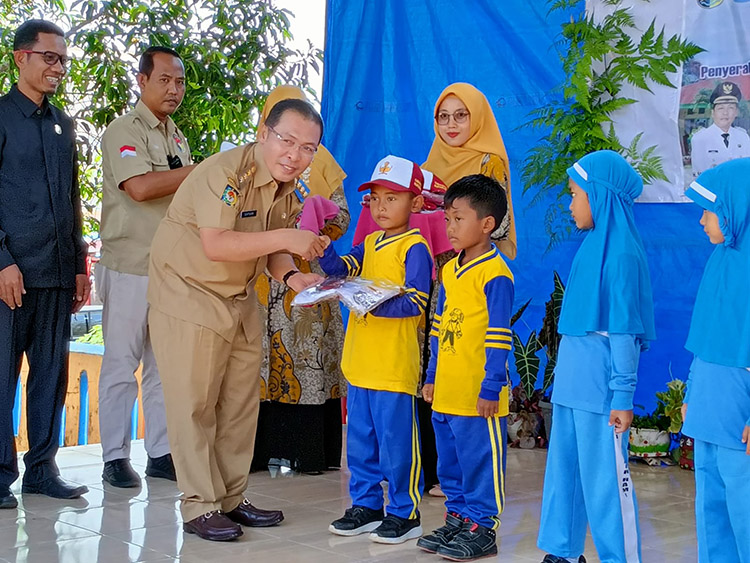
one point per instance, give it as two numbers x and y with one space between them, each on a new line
145 158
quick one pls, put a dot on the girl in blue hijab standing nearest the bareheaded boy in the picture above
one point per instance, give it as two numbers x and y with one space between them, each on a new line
607 318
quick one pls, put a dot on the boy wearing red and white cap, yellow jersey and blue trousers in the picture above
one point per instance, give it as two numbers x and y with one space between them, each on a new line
381 361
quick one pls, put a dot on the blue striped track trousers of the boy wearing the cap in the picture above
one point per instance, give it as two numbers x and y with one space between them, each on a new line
382 444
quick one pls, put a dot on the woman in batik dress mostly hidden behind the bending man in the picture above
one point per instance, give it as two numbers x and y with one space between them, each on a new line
300 415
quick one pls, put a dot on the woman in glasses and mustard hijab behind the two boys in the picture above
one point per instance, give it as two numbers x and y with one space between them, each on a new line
467 141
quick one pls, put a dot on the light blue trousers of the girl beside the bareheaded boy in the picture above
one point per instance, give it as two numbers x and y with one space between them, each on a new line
588 481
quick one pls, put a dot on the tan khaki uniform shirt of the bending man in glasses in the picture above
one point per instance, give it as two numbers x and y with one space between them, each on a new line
230 190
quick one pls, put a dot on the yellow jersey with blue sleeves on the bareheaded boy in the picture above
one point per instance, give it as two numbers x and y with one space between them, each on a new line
470 336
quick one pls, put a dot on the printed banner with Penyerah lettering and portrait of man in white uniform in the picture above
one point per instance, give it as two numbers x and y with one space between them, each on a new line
714 117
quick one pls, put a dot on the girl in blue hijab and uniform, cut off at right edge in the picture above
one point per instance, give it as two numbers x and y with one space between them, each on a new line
717 409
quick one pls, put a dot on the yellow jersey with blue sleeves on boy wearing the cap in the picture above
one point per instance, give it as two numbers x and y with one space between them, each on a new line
381 349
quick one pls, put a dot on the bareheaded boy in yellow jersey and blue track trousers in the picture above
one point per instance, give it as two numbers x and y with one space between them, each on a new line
467 381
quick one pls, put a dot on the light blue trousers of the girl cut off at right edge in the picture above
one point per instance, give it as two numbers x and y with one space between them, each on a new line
722 503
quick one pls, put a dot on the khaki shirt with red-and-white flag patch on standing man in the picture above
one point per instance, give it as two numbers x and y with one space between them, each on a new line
132 145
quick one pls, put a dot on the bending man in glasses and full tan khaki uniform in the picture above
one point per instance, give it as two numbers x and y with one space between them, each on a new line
231 218
